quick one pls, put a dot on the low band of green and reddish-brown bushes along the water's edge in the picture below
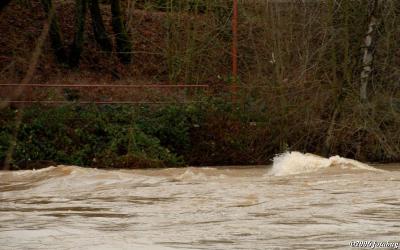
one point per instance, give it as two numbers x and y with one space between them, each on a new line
210 133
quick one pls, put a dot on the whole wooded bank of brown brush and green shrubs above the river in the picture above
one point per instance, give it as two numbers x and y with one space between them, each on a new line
299 84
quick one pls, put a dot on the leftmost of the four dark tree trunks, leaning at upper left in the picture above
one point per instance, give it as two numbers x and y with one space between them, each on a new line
55 32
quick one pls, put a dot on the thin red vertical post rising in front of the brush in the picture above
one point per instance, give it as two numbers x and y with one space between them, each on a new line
234 48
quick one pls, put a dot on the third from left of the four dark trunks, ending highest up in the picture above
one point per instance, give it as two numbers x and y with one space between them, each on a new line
99 30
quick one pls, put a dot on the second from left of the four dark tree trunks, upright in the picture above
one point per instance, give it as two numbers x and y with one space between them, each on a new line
77 45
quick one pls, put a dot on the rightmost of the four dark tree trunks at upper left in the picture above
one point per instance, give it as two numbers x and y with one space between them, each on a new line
124 46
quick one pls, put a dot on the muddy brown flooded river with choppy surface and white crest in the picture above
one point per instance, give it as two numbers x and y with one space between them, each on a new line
301 202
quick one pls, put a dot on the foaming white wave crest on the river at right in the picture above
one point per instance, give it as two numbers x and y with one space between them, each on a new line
291 163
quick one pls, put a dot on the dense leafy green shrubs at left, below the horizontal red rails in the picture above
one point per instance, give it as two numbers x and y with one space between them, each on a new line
87 136
